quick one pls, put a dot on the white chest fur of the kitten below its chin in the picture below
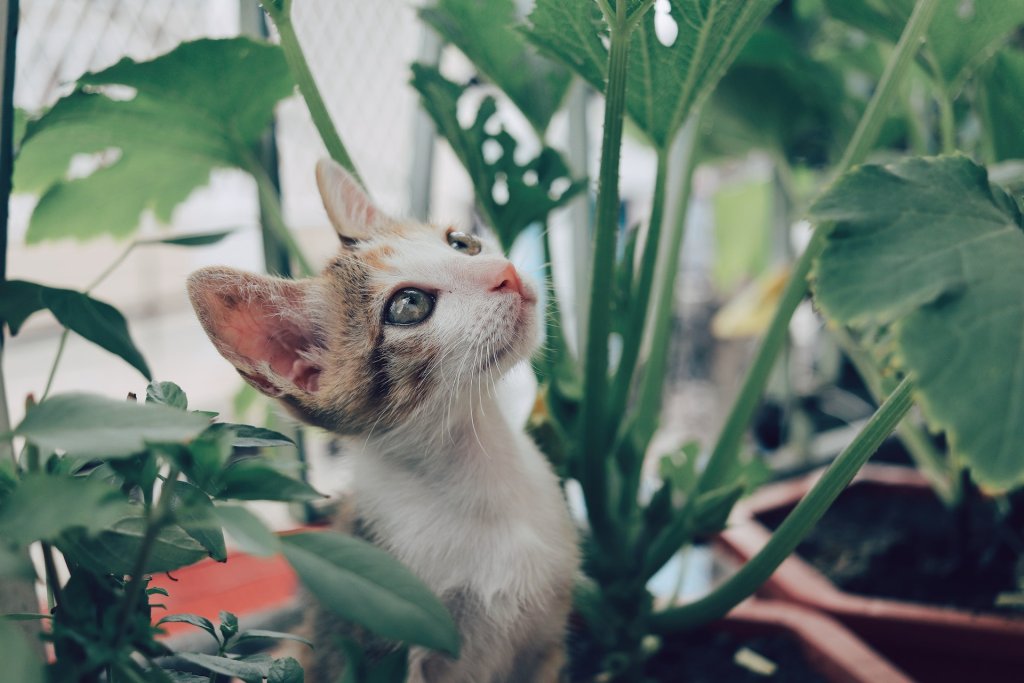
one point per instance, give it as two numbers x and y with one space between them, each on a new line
476 508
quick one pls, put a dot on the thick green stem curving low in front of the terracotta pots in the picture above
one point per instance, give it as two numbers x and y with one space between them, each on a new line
796 526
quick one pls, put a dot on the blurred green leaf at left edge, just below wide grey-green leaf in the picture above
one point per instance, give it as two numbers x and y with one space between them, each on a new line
44 506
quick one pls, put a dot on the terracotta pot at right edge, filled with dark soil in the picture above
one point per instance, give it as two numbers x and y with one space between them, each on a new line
932 644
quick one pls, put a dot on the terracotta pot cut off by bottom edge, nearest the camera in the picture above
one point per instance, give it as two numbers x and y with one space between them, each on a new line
830 648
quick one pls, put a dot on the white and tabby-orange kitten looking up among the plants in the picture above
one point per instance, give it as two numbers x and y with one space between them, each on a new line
399 344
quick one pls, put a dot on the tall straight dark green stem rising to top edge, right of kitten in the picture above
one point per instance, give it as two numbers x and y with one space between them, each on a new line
594 467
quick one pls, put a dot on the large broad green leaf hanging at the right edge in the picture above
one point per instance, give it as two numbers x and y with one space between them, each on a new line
931 248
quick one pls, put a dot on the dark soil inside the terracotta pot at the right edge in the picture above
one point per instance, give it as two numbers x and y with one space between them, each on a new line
911 547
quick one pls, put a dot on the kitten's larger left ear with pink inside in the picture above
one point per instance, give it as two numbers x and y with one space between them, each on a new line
263 326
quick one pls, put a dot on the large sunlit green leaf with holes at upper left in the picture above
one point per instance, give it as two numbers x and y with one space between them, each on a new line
201 107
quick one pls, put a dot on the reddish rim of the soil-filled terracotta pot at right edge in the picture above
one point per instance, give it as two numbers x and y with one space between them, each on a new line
798 582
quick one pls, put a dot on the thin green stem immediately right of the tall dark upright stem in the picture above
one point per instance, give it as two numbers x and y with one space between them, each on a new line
639 296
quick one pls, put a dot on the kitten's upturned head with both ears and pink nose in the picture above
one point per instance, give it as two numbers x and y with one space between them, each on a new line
406 317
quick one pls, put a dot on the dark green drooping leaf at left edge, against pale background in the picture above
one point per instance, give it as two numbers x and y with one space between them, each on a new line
99 322
